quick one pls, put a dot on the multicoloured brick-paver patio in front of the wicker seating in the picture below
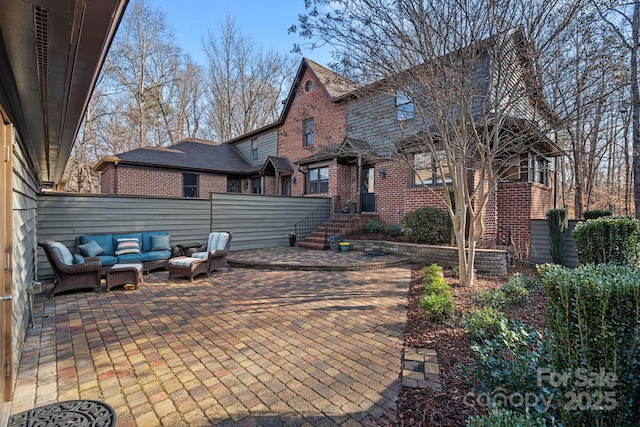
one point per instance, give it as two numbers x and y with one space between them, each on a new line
249 347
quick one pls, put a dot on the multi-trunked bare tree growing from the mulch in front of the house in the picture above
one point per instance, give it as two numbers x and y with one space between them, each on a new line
470 69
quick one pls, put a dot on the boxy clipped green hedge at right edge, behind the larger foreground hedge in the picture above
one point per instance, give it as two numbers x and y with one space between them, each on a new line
608 240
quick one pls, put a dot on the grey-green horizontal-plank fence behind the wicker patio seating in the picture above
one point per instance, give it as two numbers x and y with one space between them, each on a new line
256 221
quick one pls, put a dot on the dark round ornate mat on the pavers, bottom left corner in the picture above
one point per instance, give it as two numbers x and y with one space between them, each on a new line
90 413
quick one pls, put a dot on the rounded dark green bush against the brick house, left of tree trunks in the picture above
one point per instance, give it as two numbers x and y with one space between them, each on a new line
428 225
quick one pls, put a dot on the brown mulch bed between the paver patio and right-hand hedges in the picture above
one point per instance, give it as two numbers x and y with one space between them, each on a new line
424 407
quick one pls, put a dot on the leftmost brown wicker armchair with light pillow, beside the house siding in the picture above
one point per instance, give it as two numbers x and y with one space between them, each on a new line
69 276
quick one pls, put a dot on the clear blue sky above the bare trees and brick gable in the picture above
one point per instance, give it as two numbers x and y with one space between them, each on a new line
266 22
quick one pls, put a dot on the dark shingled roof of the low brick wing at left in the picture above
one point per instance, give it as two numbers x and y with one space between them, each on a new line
187 154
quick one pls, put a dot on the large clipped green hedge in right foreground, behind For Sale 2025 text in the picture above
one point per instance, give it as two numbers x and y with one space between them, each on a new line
594 322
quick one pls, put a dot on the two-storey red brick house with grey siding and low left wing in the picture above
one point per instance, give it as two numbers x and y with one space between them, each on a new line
334 140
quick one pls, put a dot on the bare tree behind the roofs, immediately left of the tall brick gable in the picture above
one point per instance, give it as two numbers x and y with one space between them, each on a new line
246 84
